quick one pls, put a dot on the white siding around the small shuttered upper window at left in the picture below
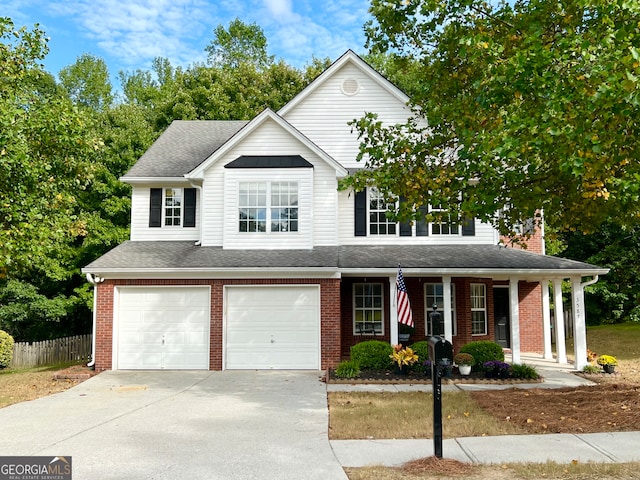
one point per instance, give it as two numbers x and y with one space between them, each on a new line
140 230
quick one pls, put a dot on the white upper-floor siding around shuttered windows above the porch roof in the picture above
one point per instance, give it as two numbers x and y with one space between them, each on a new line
484 234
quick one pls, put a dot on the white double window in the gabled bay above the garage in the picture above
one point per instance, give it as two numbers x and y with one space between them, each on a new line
275 203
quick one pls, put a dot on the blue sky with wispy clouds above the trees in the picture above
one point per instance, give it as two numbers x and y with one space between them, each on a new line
129 34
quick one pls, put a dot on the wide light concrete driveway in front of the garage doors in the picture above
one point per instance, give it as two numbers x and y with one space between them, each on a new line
175 425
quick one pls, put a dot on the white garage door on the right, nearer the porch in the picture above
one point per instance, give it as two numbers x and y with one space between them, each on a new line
272 327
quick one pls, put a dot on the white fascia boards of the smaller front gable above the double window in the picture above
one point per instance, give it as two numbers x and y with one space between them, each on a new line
267 114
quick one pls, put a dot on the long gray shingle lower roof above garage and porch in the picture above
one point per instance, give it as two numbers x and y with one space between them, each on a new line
184 256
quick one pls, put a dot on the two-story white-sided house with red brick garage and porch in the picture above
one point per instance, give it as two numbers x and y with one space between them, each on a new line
244 254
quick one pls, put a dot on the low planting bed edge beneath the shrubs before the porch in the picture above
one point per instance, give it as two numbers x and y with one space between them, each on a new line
418 378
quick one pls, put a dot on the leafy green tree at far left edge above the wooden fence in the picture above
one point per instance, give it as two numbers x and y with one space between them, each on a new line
45 159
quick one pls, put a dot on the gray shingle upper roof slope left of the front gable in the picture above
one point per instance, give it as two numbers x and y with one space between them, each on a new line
184 145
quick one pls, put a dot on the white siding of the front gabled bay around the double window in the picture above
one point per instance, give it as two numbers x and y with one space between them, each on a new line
317 190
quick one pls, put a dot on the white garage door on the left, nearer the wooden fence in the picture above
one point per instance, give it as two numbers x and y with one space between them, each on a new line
162 328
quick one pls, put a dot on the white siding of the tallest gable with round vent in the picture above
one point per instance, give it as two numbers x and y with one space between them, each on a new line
324 114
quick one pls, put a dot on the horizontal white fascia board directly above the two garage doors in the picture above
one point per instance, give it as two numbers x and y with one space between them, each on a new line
212 273
